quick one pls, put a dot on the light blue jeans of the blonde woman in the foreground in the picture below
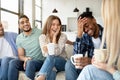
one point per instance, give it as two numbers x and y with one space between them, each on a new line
90 72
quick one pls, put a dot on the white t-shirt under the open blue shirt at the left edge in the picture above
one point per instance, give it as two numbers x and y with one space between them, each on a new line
5 48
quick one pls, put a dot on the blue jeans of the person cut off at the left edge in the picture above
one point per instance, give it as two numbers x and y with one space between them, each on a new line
4 68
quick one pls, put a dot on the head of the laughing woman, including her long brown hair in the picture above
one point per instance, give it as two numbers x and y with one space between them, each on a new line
52 27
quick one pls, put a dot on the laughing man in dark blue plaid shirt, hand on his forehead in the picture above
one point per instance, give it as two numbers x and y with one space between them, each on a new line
87 28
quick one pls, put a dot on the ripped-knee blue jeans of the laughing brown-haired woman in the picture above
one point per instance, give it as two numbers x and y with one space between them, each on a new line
50 63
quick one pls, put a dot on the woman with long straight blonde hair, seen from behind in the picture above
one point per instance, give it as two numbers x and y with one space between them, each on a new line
109 70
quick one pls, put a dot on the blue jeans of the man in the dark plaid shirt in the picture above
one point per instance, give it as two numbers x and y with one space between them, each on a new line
71 73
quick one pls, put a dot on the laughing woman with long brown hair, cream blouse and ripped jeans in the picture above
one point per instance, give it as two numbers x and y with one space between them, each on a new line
52 43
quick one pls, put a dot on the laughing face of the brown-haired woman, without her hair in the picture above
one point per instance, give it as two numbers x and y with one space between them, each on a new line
54 26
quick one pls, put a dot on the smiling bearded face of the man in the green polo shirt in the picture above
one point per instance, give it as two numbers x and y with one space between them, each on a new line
24 24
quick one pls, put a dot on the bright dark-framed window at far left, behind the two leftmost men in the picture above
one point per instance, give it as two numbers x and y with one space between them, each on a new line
9 13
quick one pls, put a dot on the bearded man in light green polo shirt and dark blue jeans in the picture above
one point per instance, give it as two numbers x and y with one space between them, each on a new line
29 52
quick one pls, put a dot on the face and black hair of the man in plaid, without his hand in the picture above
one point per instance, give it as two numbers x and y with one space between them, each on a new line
90 26
